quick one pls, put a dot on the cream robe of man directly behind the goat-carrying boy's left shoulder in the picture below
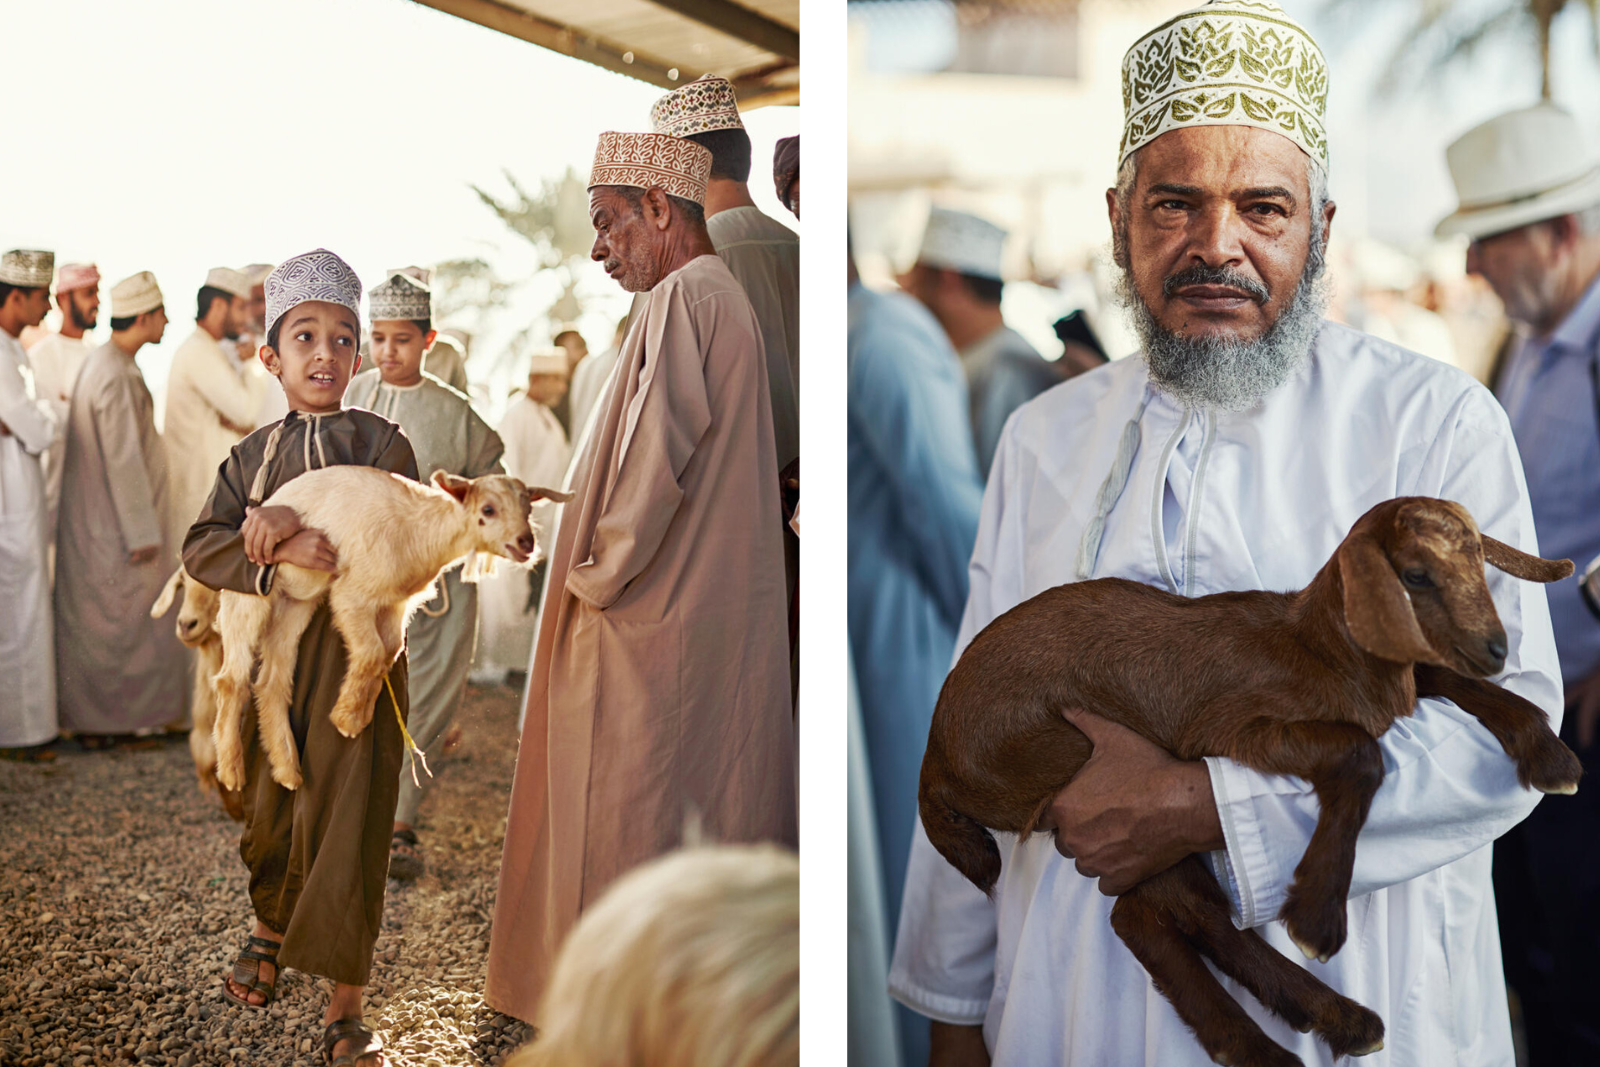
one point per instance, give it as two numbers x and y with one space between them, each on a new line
204 388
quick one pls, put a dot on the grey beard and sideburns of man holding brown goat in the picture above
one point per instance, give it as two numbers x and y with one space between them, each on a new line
1226 374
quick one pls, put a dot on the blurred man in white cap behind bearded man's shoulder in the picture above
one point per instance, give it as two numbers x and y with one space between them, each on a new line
958 278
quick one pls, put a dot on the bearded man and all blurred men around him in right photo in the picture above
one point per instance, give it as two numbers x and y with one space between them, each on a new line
1233 452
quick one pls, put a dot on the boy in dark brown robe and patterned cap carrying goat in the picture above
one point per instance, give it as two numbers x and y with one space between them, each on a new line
314 850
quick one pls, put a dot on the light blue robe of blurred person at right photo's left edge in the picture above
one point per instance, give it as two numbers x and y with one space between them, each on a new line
914 500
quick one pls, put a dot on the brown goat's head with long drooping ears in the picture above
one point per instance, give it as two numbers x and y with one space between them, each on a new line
1415 588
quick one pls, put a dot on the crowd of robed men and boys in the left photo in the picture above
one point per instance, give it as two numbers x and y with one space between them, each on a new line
662 665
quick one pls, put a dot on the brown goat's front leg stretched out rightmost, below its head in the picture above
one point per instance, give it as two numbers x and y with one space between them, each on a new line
1521 725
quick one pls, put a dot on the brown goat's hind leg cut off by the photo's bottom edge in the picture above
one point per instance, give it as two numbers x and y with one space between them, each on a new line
1161 945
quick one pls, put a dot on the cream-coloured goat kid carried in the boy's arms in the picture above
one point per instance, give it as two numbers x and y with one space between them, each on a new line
394 538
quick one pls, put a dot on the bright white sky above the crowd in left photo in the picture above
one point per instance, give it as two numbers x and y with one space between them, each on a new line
175 137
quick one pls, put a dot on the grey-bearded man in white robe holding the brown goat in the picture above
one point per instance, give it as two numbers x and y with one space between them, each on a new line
1236 452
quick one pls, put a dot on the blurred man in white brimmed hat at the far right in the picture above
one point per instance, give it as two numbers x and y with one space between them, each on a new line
1530 202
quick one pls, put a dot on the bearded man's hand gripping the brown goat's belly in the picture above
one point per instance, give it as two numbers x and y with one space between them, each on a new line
1134 810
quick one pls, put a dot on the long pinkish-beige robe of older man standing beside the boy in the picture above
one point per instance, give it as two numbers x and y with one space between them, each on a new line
660 682
